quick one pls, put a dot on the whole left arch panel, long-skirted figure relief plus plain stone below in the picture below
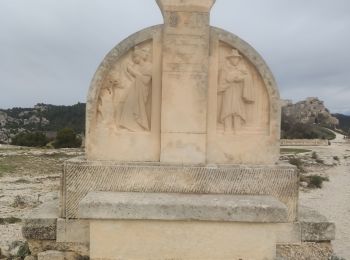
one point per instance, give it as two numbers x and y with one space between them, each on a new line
126 108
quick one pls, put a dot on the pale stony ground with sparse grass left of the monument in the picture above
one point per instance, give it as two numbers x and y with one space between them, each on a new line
28 178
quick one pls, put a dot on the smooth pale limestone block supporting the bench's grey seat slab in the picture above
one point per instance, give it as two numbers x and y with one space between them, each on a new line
159 240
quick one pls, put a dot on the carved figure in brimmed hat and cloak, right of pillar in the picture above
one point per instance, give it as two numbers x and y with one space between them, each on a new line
236 88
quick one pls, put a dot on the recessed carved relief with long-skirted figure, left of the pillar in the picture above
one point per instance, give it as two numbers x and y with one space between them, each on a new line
125 98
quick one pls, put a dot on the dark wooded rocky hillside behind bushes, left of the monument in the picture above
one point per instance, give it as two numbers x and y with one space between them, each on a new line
42 117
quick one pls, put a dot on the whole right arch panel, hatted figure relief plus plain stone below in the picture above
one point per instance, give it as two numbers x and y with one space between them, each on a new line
238 109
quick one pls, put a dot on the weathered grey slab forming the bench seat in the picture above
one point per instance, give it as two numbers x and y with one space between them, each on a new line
162 206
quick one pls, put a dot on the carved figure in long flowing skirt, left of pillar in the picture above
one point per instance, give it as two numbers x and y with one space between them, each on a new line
132 93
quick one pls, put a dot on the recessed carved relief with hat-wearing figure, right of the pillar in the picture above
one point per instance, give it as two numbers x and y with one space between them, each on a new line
243 103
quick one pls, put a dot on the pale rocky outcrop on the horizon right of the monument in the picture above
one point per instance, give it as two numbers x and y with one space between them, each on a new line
309 111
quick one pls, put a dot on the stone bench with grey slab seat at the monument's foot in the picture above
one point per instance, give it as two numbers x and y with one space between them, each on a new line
182 226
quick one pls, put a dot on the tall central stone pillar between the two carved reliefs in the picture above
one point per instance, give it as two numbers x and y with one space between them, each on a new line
185 80
